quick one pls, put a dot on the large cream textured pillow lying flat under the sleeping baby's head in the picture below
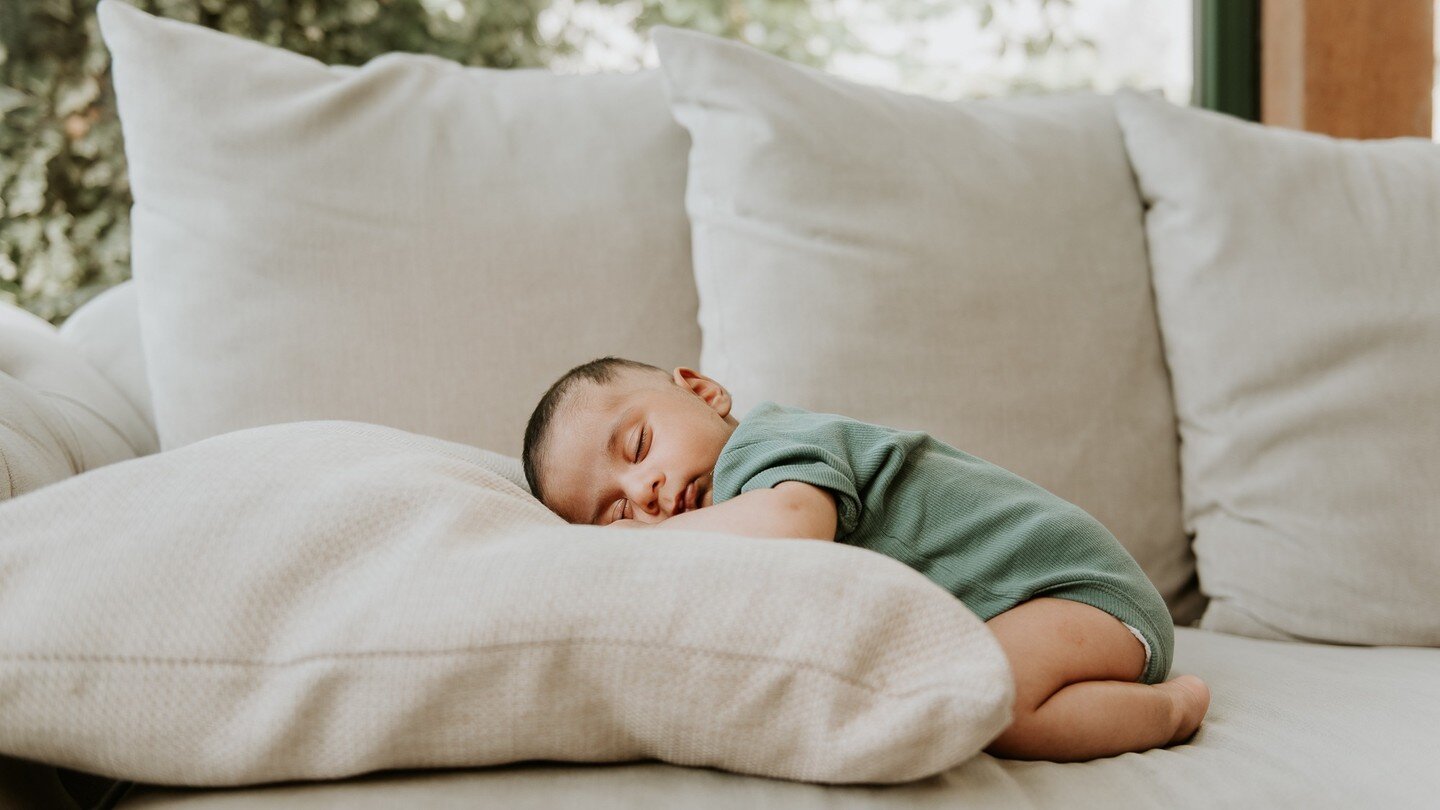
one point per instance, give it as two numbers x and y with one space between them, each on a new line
319 600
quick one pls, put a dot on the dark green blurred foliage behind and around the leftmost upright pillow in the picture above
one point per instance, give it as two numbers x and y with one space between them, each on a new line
64 194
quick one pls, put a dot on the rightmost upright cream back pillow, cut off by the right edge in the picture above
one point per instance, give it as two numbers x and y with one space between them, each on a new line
1298 282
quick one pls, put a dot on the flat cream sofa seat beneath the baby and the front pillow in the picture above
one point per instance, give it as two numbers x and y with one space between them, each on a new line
1290 726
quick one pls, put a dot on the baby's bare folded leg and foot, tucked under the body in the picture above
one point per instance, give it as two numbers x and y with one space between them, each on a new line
1076 693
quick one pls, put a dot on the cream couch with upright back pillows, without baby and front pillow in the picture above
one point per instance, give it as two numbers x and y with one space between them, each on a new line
1219 338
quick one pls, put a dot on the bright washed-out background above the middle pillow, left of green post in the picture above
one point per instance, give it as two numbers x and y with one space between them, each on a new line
941 48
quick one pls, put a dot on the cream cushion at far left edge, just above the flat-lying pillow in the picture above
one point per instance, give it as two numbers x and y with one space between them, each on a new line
58 414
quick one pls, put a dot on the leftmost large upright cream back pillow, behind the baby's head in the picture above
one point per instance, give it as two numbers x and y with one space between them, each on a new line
410 243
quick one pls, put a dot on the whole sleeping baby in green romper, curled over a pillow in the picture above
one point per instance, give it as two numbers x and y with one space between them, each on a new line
1089 641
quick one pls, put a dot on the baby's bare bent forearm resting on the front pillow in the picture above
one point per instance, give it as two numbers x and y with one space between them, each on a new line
790 509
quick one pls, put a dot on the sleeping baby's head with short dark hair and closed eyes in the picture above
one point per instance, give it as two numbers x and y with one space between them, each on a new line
617 439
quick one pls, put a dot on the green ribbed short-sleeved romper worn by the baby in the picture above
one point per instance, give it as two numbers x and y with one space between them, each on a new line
978 531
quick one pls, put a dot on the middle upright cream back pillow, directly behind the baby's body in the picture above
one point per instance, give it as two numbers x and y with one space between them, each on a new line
976 270
